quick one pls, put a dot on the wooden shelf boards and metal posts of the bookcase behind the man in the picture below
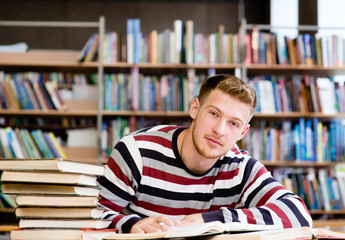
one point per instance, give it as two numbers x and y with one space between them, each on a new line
49 60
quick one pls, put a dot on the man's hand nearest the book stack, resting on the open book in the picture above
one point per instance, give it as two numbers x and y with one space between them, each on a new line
154 224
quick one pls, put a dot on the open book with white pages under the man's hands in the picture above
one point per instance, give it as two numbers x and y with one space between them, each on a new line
209 228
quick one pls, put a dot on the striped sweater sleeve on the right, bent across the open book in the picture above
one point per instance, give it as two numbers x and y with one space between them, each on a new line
263 200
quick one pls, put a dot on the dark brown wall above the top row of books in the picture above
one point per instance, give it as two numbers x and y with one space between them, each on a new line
158 15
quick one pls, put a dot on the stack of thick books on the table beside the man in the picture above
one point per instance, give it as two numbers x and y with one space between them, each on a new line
56 198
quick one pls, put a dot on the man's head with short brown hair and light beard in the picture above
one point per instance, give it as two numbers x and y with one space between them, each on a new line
221 117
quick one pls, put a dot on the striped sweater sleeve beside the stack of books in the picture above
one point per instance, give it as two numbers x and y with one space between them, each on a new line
119 184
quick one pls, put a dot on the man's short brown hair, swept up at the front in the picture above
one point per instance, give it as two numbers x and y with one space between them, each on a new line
231 85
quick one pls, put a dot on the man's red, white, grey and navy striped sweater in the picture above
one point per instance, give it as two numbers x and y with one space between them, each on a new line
145 176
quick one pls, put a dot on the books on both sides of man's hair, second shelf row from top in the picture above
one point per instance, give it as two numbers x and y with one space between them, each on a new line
296 93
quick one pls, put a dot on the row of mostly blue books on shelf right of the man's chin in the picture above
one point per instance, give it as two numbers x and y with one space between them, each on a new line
307 140
